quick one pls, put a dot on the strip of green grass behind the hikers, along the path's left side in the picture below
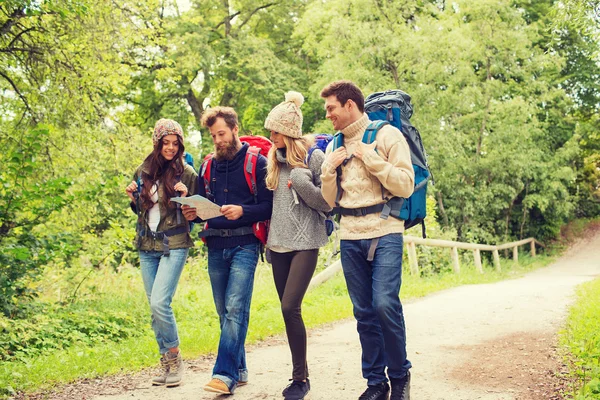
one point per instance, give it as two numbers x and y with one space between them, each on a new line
198 322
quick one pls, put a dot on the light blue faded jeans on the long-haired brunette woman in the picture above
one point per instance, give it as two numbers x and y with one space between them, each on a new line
161 275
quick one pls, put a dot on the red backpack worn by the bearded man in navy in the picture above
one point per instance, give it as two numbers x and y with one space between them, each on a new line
258 145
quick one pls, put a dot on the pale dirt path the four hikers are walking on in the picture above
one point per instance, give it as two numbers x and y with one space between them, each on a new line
493 341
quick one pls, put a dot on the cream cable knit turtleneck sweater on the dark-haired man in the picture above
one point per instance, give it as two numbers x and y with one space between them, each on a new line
361 181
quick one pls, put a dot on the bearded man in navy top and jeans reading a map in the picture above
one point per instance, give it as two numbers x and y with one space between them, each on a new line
233 250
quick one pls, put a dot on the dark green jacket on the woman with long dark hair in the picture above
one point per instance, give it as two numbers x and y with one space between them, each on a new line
168 217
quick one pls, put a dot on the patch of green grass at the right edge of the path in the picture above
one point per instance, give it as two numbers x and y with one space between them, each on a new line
581 338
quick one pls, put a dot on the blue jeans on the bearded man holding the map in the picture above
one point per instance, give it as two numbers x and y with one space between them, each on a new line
231 274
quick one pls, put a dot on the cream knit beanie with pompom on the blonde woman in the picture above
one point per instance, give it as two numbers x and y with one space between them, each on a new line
286 117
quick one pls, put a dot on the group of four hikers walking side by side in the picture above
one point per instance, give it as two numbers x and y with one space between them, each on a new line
294 186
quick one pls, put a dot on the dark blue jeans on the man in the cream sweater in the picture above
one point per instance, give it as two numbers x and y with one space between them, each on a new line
374 288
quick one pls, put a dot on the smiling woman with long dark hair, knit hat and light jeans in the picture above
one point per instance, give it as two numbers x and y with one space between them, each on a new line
162 237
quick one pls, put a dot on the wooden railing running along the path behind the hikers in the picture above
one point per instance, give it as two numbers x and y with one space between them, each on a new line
411 242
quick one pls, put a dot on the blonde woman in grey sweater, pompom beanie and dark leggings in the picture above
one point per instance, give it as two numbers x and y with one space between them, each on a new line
297 227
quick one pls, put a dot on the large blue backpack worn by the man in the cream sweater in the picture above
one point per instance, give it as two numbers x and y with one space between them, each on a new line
393 107
